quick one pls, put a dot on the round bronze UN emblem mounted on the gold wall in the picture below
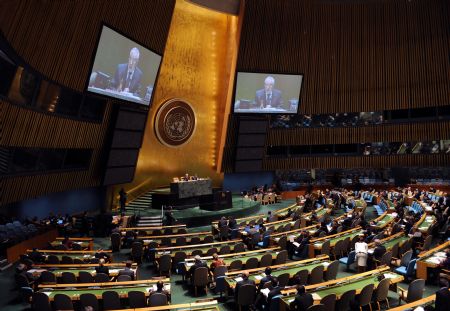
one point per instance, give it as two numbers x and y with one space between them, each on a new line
175 123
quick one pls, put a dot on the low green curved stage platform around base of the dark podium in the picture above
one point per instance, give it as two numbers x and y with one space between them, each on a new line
195 216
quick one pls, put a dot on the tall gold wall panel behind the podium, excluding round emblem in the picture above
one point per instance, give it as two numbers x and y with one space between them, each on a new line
195 68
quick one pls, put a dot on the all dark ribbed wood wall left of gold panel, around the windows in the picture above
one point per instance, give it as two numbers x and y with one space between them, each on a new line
58 39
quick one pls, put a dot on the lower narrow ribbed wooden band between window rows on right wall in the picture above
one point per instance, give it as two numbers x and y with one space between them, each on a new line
404 160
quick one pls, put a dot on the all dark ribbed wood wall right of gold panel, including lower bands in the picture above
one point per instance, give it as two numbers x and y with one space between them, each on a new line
355 56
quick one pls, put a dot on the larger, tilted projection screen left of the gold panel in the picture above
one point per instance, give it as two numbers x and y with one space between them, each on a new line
123 69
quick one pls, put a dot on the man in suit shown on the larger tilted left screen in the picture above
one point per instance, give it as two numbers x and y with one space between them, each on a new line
128 76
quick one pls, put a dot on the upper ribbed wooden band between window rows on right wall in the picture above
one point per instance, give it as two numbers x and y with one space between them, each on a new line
426 131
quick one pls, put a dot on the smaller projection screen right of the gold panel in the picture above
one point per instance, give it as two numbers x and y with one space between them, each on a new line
267 93
